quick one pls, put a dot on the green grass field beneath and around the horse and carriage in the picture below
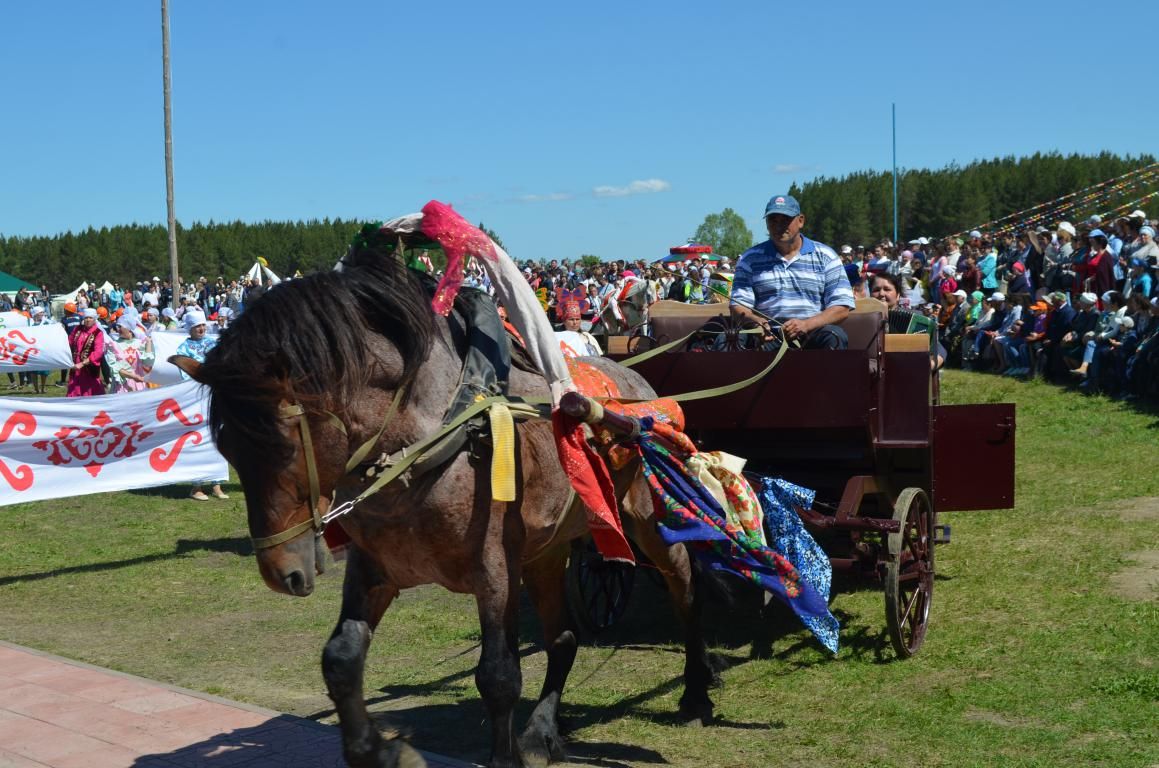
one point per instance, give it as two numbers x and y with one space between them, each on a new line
1044 646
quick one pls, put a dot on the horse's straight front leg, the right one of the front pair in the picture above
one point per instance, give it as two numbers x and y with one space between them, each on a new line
498 676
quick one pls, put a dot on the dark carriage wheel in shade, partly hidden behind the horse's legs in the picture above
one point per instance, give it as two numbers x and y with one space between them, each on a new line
597 590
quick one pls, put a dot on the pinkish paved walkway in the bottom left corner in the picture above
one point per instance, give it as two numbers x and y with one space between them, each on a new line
62 714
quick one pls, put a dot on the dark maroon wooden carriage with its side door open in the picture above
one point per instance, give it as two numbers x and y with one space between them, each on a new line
863 427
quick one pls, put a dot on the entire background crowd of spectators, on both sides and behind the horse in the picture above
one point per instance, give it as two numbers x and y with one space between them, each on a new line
1076 305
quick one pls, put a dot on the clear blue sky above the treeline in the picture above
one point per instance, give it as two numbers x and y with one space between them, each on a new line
594 128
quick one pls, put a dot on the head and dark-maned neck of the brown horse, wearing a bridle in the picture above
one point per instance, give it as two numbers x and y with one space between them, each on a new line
290 397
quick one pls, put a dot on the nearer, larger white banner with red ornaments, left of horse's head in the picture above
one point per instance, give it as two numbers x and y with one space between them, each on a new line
54 448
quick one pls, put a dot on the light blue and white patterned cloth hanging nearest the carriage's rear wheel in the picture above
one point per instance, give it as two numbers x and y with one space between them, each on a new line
788 537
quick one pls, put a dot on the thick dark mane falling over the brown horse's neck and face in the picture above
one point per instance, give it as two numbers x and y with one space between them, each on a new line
309 337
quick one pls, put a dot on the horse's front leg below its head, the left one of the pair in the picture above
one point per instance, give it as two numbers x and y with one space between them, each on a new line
367 594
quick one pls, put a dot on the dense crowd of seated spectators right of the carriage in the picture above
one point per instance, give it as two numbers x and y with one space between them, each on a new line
1078 305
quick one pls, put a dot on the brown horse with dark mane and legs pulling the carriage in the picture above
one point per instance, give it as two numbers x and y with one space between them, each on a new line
304 378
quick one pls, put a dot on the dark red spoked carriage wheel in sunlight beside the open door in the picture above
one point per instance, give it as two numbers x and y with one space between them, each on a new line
910 573
